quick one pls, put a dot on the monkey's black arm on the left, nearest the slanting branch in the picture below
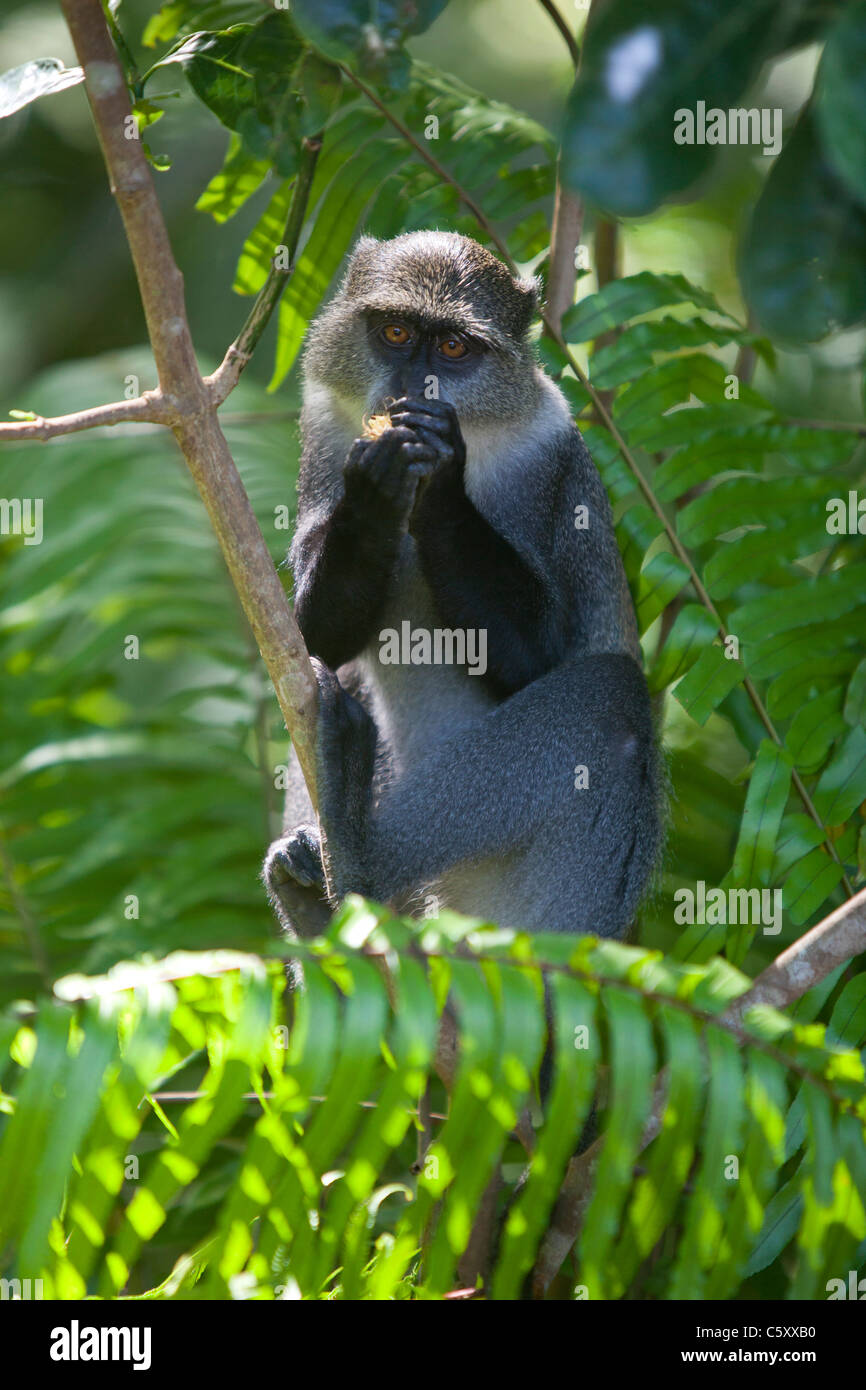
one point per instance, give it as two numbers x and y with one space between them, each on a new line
344 558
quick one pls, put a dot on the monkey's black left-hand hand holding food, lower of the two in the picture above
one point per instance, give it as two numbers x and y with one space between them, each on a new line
383 475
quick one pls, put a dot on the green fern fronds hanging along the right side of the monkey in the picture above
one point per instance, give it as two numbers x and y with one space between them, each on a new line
744 518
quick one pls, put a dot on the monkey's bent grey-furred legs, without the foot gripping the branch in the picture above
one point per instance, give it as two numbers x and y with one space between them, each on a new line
557 790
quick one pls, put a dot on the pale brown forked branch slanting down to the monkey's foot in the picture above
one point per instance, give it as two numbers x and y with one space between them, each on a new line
184 395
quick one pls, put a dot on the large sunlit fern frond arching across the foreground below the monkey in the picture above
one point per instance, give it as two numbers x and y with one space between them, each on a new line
288 1170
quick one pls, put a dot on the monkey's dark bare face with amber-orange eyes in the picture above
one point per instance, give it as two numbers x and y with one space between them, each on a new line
412 352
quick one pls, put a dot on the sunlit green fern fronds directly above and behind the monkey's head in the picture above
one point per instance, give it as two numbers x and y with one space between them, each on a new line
369 176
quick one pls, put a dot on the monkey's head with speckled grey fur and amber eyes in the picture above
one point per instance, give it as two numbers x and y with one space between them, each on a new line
429 315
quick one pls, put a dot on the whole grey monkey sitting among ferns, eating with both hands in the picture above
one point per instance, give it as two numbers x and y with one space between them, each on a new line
525 790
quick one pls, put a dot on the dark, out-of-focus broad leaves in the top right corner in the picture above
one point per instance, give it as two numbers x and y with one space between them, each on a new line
804 254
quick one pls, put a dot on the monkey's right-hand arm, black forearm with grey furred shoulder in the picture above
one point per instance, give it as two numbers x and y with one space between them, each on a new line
547 579
